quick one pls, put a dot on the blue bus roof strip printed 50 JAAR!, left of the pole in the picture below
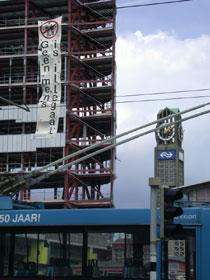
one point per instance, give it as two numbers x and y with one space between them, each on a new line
74 217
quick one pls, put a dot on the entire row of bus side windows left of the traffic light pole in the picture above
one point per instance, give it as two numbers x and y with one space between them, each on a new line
91 254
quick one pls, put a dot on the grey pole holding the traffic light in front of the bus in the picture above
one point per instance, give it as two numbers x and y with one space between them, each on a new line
154 184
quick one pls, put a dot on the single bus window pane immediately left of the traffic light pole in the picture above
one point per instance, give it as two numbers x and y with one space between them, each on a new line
118 254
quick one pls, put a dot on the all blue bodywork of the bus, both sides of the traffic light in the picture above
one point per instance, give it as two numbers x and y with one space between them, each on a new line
198 218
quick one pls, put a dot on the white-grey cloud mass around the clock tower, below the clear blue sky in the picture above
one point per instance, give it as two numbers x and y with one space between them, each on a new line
154 63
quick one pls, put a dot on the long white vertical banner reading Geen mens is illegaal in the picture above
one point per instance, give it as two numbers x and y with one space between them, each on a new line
49 55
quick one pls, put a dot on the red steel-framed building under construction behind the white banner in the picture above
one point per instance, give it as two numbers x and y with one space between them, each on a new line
87 114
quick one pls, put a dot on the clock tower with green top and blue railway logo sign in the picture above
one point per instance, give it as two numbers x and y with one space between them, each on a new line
169 155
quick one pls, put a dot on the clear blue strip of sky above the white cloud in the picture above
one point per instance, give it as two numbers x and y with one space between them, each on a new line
188 19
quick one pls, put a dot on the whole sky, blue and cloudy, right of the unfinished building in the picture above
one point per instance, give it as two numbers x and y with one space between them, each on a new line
160 48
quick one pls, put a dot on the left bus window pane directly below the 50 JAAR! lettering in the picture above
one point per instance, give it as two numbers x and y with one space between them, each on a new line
44 254
